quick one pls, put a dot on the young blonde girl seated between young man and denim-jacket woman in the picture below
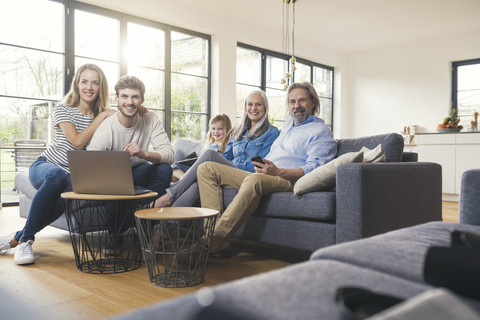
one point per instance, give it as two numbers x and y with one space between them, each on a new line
217 140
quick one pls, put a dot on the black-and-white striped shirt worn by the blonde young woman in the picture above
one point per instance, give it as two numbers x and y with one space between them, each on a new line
56 153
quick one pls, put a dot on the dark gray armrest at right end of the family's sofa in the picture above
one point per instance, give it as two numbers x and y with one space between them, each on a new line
374 198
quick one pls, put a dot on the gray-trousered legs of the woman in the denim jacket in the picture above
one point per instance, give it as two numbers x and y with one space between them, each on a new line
190 177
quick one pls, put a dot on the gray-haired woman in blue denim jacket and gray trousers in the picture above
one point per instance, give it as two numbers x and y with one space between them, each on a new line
253 137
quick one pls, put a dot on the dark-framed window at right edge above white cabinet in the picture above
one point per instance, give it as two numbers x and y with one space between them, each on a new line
466 89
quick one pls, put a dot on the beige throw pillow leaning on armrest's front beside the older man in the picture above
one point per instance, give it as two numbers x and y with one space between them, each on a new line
323 177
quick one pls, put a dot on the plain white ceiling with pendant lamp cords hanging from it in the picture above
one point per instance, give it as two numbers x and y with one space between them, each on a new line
350 26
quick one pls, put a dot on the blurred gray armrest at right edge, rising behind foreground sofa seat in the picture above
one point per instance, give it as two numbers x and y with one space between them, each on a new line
469 197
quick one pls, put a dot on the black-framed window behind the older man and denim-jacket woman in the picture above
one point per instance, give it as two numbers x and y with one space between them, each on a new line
262 69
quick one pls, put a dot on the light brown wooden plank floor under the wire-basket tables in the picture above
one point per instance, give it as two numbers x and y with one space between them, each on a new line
54 286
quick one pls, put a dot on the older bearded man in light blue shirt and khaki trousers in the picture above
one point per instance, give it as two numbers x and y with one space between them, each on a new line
304 143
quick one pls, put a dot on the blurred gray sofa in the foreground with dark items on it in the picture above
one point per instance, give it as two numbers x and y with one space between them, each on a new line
390 264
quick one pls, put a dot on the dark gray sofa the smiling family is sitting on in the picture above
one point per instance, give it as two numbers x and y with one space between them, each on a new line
369 199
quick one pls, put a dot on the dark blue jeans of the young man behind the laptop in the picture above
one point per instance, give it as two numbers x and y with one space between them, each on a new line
155 177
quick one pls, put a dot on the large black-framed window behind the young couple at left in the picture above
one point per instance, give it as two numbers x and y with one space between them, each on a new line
43 42
